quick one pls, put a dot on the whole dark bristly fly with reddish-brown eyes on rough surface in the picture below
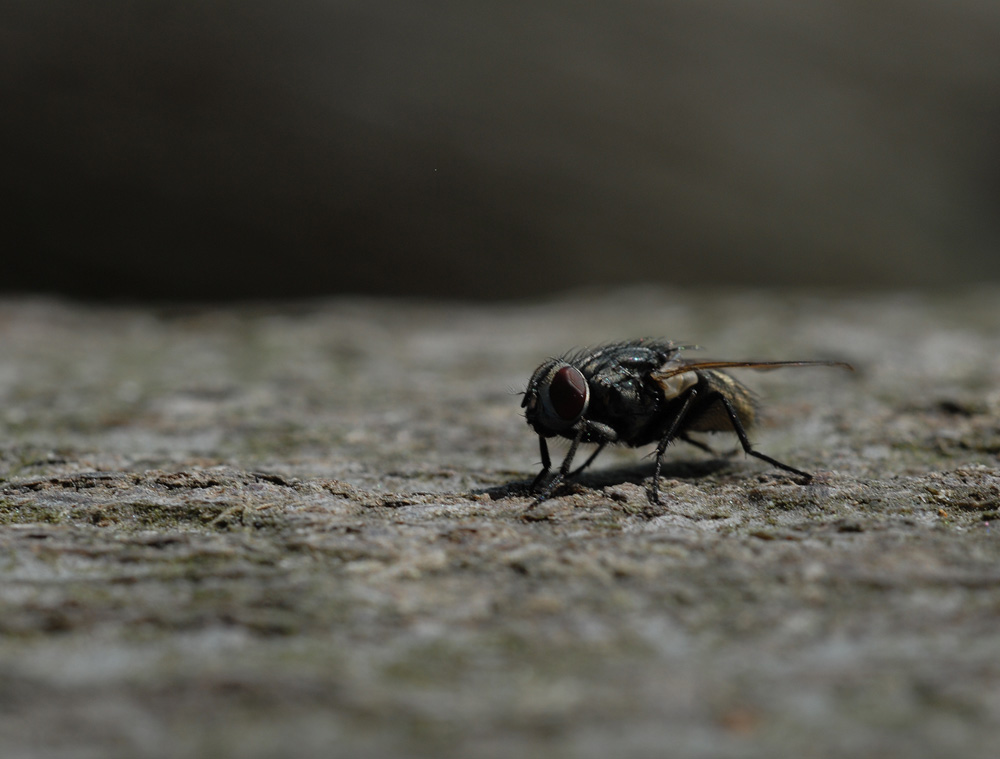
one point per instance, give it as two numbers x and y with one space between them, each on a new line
635 393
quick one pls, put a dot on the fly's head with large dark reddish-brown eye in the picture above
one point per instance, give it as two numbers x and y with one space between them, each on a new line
556 399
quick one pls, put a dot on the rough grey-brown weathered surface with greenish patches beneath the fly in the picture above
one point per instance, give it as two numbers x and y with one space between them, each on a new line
300 531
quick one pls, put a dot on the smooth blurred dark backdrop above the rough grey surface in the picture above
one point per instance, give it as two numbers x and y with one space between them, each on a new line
250 149
